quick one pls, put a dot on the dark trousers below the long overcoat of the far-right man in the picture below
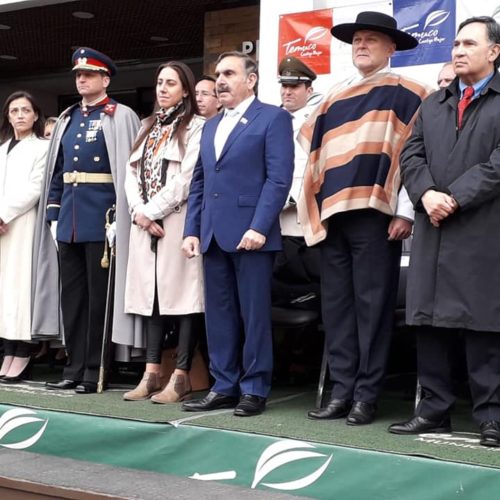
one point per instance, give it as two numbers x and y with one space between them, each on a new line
435 361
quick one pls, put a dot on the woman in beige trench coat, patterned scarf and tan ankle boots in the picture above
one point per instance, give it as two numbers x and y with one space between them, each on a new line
161 282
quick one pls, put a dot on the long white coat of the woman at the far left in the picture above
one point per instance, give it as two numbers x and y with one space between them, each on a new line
21 175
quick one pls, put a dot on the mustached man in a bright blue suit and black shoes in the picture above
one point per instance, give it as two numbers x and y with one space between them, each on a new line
239 186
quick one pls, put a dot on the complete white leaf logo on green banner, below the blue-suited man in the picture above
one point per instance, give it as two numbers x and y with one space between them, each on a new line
284 452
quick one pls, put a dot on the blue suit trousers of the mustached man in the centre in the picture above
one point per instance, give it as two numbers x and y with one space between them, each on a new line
238 294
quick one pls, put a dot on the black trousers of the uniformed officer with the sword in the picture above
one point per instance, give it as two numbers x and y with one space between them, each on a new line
83 304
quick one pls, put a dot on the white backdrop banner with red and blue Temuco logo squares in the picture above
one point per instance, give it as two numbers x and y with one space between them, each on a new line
432 22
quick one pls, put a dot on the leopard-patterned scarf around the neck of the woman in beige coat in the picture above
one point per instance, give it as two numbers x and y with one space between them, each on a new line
153 170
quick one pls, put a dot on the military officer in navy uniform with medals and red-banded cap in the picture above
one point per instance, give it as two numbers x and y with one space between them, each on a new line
81 190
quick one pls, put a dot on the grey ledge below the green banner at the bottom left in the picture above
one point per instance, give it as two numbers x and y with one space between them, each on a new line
25 476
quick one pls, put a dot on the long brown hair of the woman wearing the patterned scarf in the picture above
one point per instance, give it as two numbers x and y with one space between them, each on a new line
190 106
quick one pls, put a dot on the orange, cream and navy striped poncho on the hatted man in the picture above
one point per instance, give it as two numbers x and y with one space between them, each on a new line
354 139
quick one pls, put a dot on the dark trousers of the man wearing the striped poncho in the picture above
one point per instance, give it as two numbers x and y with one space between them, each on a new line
359 281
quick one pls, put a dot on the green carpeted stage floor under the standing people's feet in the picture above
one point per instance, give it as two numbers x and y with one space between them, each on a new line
285 417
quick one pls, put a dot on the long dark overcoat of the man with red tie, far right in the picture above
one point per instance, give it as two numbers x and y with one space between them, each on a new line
454 276
